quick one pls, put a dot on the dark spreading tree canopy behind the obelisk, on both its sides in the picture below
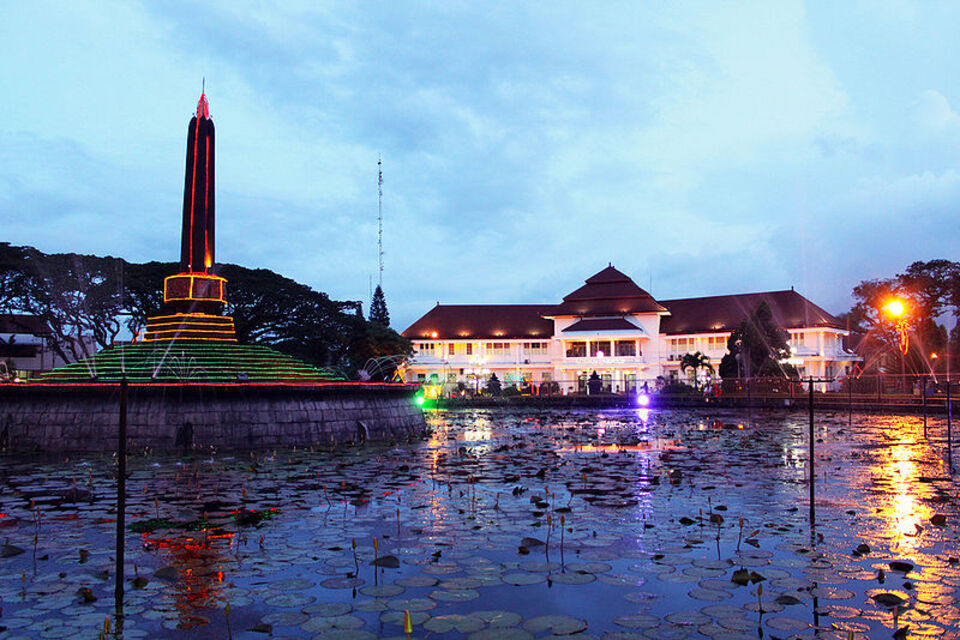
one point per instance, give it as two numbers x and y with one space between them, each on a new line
95 297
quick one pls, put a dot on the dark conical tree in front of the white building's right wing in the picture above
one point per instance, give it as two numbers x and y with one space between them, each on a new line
757 347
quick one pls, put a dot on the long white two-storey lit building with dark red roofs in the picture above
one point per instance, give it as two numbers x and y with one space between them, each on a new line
613 327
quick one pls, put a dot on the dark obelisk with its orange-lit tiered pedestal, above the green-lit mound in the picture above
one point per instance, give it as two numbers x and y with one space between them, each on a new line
195 294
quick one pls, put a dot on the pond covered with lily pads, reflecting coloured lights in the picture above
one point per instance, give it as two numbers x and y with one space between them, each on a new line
603 524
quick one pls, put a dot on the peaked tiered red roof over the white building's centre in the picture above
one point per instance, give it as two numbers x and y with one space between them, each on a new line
608 292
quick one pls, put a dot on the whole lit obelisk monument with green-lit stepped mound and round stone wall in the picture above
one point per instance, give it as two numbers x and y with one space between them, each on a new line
191 383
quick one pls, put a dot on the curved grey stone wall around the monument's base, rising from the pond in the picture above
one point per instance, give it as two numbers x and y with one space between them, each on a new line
59 418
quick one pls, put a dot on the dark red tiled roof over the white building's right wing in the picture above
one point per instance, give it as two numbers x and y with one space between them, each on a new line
725 313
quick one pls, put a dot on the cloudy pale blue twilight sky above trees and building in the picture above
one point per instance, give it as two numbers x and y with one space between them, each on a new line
703 148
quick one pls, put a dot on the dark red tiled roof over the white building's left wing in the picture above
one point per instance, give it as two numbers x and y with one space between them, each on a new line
451 321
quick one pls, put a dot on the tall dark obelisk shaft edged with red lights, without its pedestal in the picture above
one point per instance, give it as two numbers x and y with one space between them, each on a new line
197 239
